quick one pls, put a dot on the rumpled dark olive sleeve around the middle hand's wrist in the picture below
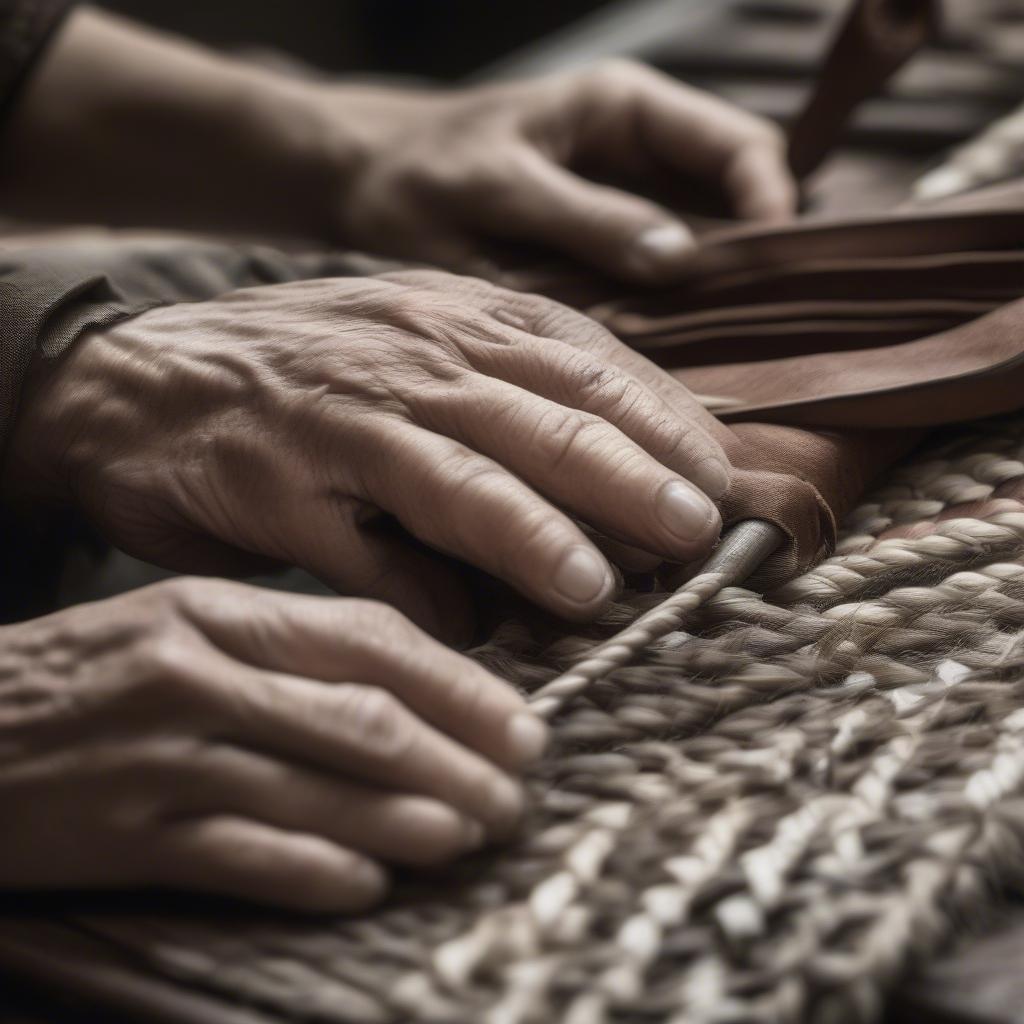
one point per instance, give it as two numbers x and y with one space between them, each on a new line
52 294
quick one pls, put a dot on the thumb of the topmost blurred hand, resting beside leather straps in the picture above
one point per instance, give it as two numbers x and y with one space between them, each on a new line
613 231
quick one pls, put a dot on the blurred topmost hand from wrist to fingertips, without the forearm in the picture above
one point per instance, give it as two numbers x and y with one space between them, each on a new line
434 177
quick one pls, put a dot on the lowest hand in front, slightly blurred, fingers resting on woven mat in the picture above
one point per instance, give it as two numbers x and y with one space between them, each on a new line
208 736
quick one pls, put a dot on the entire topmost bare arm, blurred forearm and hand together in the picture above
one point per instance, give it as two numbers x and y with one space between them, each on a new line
436 177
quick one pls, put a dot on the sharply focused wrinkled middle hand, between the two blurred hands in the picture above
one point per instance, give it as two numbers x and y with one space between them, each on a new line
284 421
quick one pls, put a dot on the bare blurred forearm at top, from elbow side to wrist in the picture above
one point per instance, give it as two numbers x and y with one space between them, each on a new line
124 125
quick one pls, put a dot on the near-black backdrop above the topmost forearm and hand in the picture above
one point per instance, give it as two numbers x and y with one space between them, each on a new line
443 39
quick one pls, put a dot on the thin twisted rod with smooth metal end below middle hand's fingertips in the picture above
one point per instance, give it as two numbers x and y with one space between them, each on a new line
743 549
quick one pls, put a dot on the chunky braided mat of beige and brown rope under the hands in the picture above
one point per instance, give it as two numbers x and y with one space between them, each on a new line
770 819
